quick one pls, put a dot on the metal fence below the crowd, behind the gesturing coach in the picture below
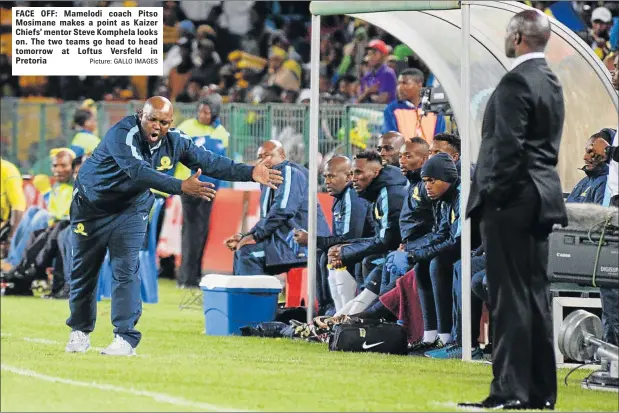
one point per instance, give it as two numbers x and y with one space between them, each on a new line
29 129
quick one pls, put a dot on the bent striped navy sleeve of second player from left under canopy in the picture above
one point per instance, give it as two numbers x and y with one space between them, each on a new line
387 236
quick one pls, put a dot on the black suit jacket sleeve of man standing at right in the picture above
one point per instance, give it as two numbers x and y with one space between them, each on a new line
513 107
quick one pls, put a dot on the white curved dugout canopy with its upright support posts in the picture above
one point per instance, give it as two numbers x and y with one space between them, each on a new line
462 42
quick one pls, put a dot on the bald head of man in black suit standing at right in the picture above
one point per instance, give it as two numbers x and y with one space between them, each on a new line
527 32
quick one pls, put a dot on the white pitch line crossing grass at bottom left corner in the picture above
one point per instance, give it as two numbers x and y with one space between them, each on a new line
158 397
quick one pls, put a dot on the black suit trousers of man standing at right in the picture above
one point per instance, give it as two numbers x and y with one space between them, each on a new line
523 361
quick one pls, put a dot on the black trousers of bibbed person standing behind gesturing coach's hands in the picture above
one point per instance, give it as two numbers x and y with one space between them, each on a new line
194 233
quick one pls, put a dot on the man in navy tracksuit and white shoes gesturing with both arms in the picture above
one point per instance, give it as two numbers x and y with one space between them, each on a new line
110 209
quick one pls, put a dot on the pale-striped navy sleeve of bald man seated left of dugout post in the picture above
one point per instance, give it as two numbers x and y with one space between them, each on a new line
286 202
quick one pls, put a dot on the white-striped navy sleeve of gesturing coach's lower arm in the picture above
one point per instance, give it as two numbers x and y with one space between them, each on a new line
124 151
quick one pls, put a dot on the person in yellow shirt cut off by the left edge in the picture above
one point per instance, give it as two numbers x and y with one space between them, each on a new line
12 205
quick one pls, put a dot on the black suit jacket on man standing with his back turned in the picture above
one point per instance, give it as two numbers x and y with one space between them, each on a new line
521 135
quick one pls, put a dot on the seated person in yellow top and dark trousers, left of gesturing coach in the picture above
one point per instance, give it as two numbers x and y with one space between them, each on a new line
42 246
